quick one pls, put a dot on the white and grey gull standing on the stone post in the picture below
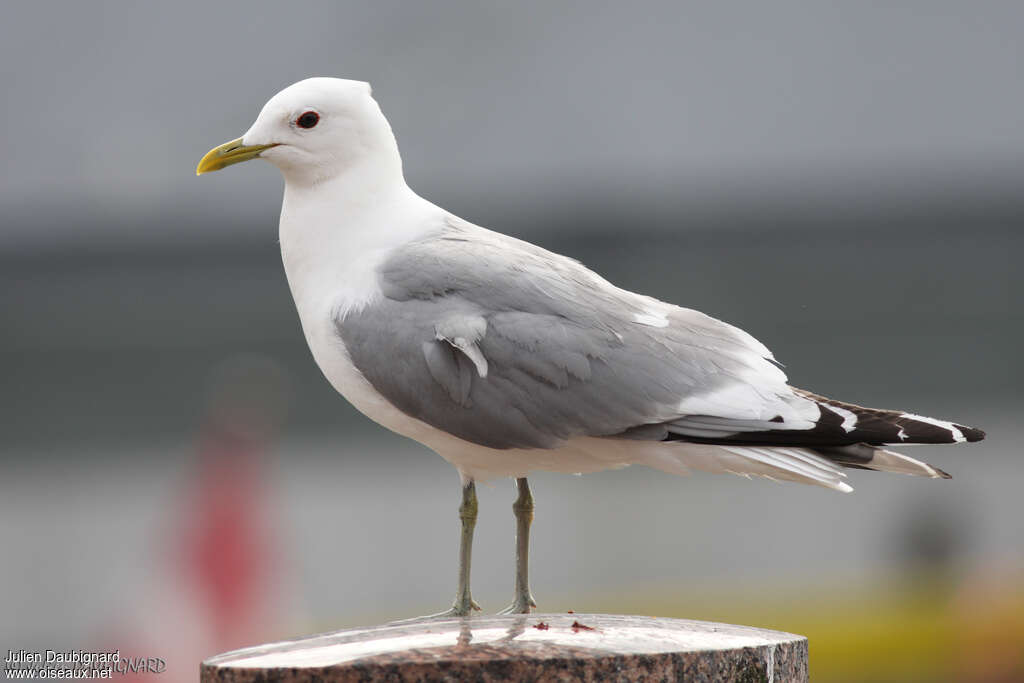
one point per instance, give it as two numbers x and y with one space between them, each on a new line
506 359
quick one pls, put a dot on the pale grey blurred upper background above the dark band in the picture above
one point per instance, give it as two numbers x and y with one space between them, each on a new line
108 106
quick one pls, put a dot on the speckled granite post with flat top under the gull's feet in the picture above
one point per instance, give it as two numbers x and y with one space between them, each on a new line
525 648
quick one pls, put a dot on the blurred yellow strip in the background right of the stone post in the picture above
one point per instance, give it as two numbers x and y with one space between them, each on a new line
926 629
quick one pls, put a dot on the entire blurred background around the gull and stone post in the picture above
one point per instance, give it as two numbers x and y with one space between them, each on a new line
844 181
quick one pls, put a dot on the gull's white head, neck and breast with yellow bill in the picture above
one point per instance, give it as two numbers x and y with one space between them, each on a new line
347 205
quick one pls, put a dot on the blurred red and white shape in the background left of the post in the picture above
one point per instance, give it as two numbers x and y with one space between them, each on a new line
218 585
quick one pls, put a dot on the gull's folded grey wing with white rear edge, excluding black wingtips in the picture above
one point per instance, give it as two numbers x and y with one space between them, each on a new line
507 346
